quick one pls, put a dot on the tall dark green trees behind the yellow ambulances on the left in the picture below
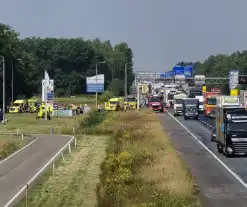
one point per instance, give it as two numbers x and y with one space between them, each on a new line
68 62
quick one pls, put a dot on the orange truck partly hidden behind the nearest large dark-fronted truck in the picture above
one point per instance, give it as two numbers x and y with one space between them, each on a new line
209 102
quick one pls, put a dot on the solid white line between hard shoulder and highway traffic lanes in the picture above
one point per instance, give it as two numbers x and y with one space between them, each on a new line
210 152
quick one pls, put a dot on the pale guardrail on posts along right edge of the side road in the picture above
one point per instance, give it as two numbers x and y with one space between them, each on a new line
23 192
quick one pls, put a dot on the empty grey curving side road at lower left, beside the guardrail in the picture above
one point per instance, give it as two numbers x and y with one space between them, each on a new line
20 168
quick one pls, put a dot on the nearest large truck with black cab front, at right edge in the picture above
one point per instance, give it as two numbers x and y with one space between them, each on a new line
231 130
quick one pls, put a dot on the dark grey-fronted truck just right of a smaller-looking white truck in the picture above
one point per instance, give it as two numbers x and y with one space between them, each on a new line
190 108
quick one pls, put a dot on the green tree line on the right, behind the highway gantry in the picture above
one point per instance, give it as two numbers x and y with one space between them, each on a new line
219 66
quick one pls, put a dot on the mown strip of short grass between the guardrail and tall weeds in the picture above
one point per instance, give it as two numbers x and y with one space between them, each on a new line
74 182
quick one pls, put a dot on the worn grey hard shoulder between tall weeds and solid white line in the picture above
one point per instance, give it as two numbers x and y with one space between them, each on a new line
217 186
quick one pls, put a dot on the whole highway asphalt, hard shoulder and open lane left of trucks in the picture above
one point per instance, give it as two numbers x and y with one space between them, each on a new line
218 185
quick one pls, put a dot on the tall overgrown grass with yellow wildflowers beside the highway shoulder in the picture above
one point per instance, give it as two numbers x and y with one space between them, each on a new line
142 168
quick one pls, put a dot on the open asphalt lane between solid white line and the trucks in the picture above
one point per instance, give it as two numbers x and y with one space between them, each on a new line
236 164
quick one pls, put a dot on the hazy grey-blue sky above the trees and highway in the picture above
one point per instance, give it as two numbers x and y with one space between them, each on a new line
160 32
